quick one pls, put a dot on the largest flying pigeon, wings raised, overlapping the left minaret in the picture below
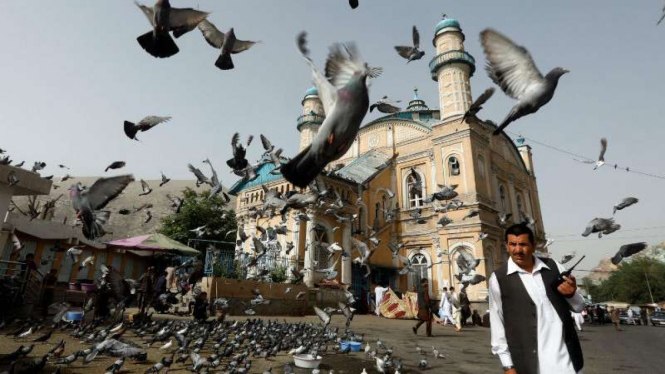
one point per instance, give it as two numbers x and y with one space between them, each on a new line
343 92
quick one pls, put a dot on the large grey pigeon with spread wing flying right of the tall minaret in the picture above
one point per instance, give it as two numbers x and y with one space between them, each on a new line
511 67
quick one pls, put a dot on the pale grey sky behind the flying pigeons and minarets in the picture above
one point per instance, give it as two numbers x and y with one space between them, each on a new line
72 72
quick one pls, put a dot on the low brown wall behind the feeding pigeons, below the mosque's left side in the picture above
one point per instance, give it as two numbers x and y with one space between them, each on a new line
239 293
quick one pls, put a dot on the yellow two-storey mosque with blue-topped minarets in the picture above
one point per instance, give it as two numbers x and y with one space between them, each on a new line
493 176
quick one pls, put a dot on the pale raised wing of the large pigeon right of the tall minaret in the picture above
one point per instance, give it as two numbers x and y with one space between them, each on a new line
509 65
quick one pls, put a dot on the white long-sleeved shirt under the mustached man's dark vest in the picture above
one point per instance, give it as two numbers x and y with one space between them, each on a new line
553 355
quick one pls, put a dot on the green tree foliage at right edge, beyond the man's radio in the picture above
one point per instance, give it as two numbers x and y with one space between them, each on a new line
629 283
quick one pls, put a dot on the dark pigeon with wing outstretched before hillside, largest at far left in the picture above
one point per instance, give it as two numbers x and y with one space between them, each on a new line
88 202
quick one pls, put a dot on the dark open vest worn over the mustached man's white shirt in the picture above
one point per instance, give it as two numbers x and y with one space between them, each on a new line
520 321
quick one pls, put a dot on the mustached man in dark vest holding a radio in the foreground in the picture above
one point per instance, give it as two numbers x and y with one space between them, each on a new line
532 330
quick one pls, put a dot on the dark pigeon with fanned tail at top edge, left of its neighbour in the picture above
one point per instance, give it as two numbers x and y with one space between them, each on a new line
164 19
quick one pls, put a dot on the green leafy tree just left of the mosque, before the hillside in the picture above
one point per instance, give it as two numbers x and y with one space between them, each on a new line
199 210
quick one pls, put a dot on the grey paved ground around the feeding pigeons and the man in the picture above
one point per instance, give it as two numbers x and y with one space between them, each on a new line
637 349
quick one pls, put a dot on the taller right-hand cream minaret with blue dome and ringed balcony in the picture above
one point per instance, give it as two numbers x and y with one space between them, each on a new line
452 67
